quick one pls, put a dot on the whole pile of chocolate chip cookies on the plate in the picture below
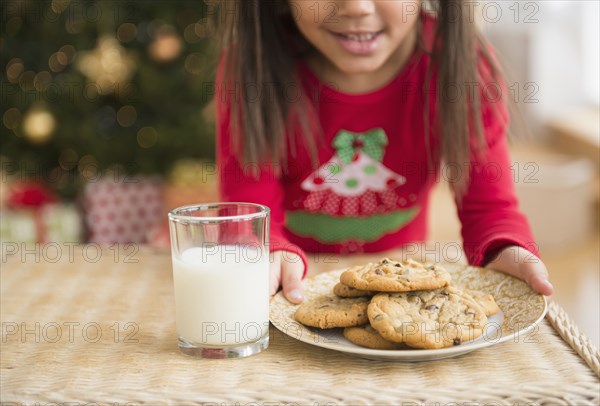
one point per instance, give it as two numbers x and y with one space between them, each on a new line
398 304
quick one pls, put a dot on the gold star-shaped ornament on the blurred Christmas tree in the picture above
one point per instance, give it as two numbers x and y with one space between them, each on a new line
108 65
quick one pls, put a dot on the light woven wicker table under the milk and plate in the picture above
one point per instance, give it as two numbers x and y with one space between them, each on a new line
96 324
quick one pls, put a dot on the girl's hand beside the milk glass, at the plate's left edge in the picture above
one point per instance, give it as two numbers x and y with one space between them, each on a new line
286 269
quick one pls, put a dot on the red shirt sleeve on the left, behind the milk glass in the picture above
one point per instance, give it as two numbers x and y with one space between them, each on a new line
253 183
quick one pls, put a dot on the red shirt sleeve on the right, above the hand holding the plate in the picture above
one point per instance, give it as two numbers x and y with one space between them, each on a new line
489 210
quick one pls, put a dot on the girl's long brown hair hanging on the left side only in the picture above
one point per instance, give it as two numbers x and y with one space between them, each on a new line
260 64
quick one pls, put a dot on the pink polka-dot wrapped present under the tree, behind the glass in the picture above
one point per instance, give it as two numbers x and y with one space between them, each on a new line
122 209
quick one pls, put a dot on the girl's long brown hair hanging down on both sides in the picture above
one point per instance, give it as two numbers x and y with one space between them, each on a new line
261 44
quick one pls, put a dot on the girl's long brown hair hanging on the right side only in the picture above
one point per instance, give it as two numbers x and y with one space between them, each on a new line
456 53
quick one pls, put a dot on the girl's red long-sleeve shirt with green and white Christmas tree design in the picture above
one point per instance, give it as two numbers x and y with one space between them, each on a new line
371 191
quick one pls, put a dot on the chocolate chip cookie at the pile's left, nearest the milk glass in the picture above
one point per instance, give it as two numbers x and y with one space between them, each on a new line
329 311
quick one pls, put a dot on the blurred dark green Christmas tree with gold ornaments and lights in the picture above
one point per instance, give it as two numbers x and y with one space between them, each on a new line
89 85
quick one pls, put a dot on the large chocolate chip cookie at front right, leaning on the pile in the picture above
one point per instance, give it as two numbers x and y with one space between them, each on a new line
427 319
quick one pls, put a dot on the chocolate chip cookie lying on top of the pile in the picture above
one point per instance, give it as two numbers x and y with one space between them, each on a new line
395 276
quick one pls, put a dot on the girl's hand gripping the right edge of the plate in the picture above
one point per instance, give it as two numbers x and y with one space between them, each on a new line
519 262
